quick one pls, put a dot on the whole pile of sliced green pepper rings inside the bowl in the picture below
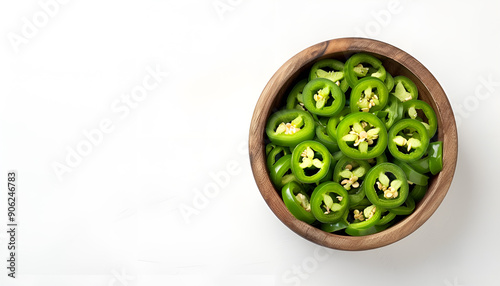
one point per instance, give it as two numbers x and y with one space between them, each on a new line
352 150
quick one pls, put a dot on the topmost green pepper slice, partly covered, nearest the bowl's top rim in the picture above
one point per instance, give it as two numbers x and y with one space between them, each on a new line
355 69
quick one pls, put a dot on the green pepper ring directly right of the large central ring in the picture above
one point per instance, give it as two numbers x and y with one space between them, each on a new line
408 140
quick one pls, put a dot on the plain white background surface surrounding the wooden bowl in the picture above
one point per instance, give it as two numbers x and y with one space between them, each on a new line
114 217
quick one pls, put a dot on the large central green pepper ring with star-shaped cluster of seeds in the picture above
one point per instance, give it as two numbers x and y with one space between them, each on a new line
362 135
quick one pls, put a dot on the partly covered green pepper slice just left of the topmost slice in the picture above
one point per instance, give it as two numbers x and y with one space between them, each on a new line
330 69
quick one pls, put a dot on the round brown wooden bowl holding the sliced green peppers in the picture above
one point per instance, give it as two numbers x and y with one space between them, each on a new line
396 62
